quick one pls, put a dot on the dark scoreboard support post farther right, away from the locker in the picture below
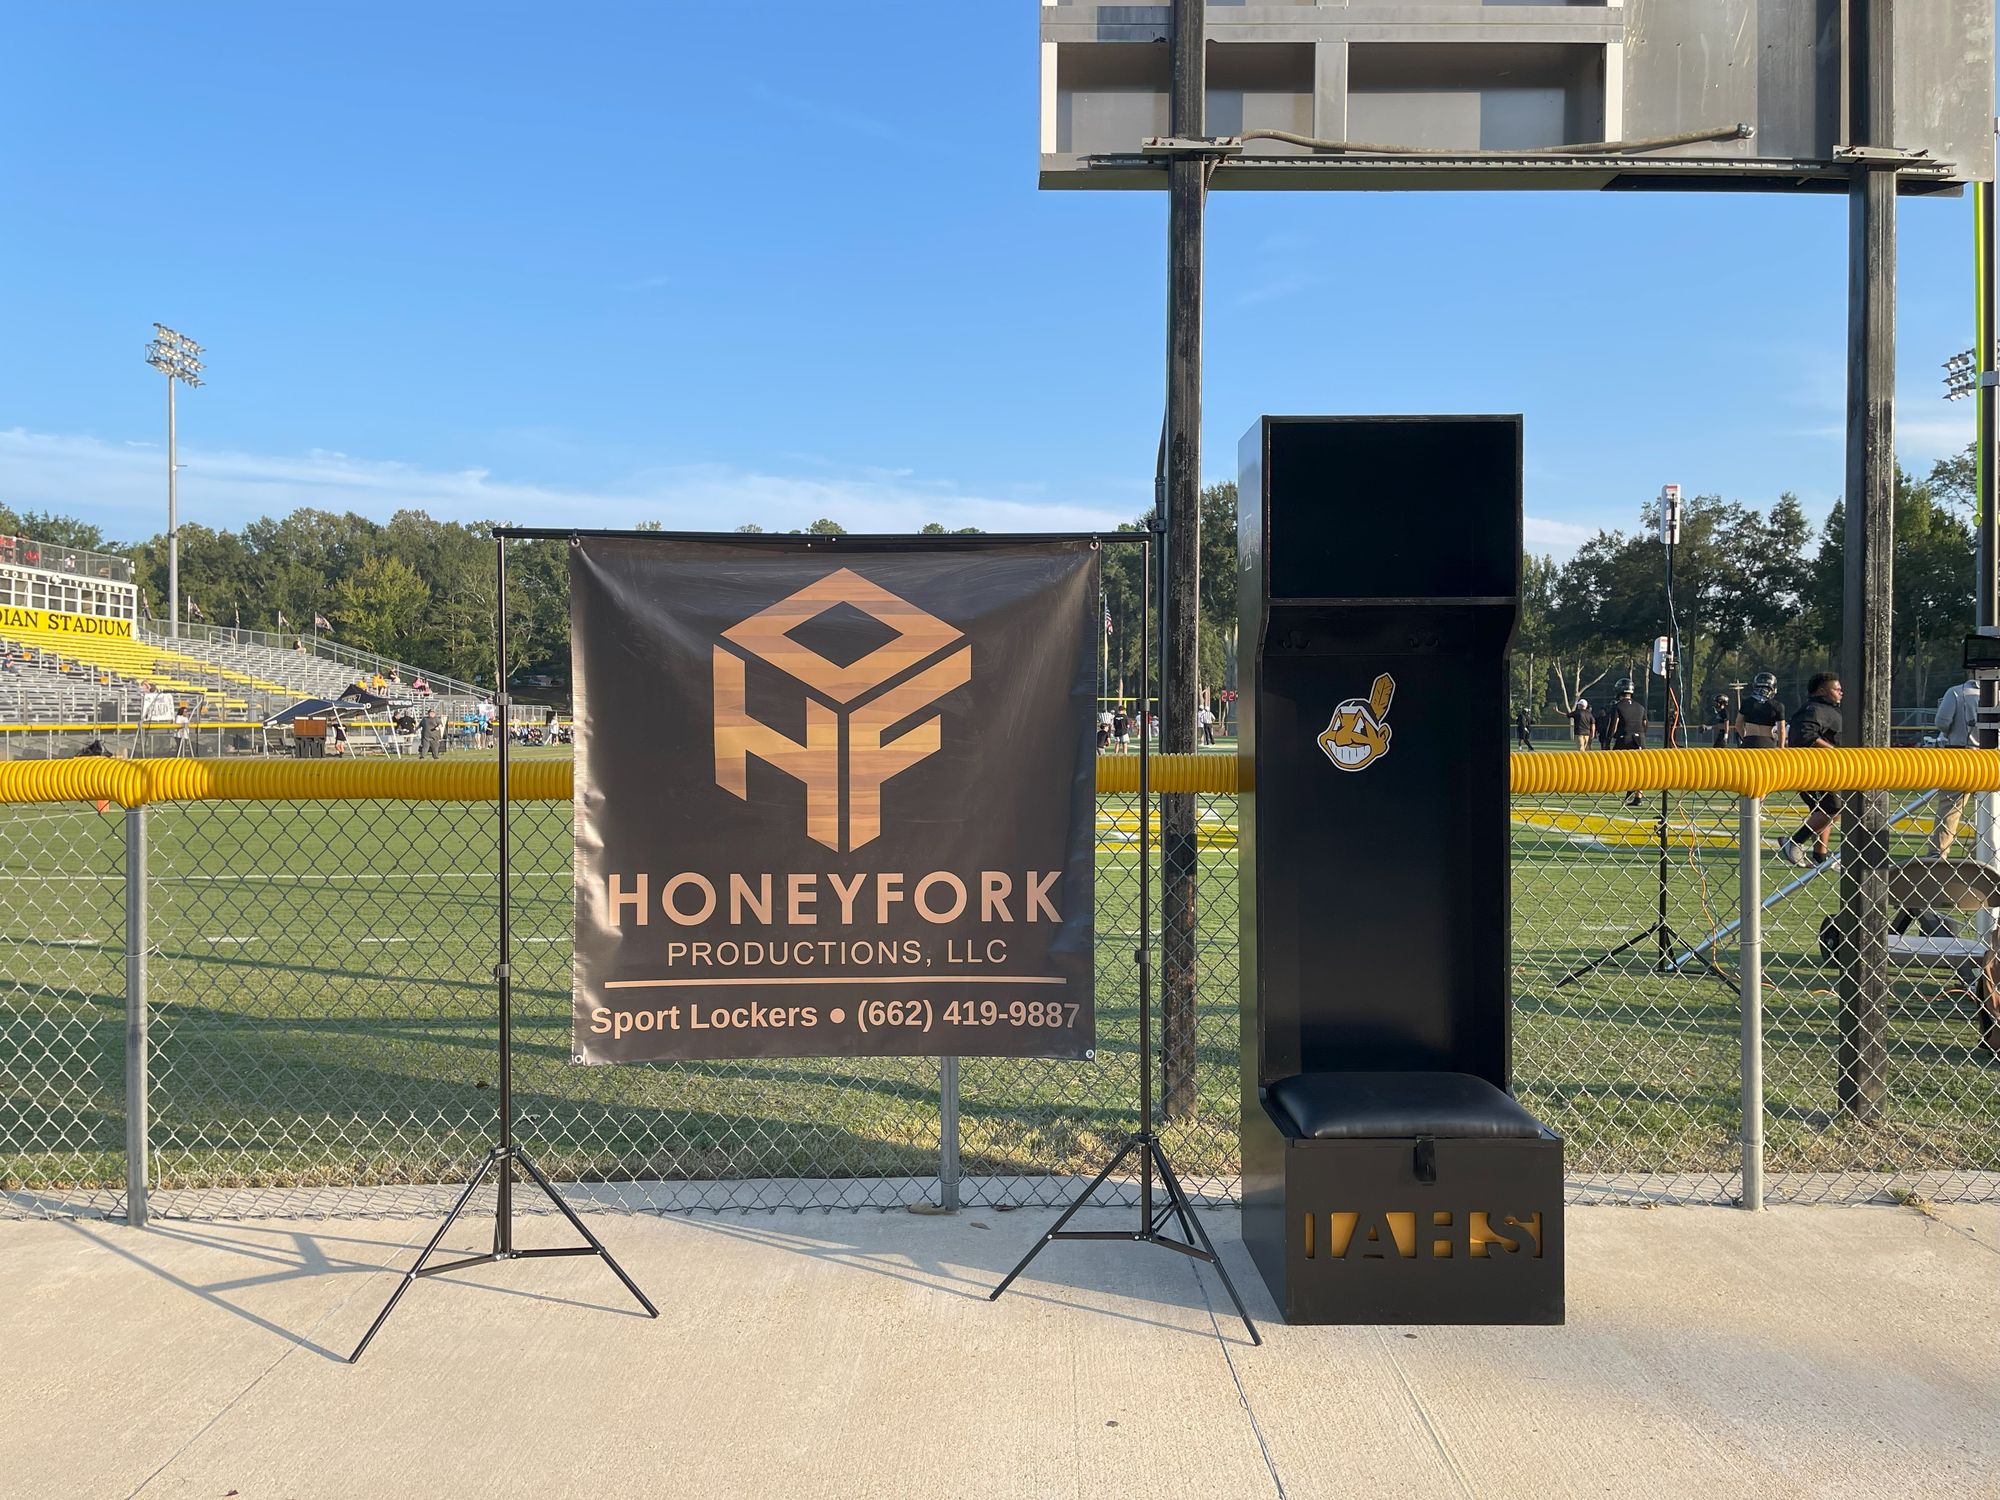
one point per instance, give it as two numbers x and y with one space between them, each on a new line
1871 531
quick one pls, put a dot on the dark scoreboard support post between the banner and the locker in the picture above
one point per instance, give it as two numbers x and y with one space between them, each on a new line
1187 189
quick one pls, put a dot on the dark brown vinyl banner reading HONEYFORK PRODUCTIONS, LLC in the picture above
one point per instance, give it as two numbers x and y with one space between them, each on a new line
835 799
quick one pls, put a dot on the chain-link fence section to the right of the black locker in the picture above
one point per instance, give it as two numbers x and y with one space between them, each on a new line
1629 1007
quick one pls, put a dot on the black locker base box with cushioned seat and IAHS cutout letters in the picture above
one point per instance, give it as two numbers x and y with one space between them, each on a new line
1403 1199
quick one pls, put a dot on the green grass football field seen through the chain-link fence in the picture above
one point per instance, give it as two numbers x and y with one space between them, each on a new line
323 1015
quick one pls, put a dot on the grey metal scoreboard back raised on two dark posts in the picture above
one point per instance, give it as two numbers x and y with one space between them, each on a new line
1509 77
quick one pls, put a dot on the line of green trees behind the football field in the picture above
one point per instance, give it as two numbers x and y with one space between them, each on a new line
1755 591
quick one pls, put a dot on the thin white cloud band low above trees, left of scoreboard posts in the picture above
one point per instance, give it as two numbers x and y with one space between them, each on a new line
117 487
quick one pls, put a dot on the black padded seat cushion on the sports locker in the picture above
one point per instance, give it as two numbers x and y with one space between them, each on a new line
1349 1105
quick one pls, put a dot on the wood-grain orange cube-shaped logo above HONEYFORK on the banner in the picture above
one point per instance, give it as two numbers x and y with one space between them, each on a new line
869 697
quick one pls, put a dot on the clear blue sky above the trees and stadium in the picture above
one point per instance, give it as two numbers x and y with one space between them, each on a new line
711 265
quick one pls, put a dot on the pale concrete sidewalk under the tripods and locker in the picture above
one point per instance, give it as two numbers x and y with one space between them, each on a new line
1809 1351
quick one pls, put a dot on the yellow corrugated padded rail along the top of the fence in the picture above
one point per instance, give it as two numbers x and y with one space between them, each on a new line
1741 773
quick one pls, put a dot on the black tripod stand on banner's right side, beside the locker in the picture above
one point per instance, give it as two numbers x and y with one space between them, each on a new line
1143 1143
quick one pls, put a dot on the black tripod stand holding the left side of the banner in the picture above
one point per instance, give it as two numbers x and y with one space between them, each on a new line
505 1155
